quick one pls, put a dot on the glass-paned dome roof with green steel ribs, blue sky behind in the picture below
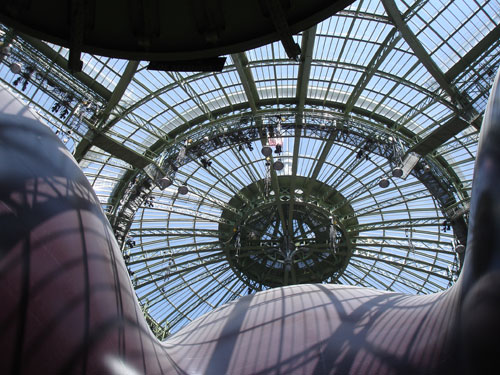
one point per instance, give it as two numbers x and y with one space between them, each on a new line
379 86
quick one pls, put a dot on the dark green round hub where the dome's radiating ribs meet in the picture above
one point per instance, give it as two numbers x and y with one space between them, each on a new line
286 238
